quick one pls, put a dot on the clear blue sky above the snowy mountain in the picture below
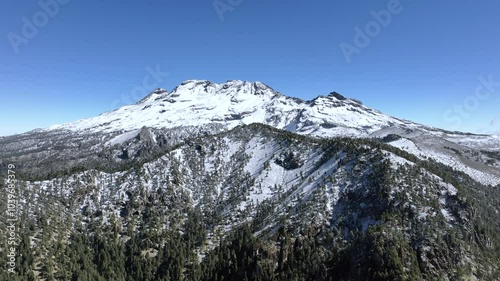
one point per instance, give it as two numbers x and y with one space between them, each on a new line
89 54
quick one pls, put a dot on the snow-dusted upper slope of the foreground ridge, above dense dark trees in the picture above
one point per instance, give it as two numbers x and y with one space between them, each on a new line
260 177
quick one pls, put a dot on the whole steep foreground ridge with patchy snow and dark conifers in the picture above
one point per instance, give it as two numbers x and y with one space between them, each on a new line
258 203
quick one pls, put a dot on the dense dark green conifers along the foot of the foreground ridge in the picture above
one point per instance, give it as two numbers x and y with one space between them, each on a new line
381 253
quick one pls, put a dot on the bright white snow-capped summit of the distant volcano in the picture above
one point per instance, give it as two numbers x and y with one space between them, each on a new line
199 102
